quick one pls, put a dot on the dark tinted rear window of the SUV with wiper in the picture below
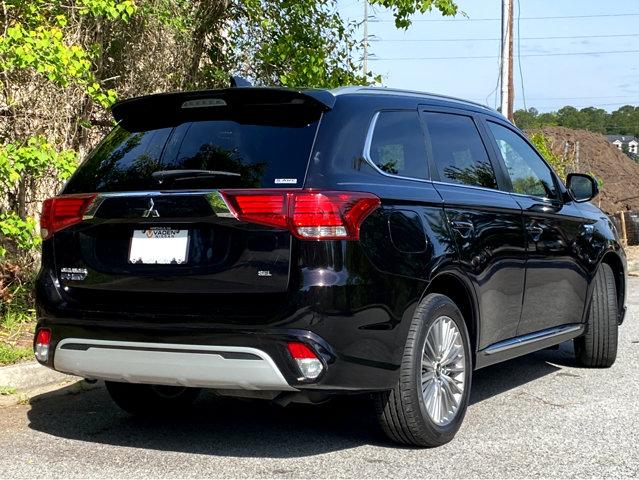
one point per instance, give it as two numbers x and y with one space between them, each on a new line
259 156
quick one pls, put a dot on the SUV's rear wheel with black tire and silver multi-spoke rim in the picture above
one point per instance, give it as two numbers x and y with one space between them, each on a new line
403 412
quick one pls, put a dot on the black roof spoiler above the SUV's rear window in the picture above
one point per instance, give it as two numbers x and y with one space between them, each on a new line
180 105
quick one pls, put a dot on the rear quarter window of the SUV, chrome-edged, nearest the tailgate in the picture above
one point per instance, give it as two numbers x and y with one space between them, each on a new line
397 146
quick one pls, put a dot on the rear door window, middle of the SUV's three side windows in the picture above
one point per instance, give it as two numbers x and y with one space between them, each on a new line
457 150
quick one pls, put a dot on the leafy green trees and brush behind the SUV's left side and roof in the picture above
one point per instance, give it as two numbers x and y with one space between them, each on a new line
63 62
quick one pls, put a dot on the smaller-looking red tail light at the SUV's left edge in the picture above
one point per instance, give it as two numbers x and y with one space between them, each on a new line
62 212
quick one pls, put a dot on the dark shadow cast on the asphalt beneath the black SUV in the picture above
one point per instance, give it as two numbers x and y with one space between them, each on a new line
238 428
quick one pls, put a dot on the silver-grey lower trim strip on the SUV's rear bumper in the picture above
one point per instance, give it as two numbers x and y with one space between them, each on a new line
205 366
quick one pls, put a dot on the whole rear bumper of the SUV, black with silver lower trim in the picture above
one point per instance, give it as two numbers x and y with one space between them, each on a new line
219 358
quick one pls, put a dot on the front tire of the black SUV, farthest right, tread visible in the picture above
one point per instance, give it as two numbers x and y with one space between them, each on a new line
597 347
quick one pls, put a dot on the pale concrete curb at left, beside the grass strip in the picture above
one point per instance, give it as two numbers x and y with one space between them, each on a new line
31 379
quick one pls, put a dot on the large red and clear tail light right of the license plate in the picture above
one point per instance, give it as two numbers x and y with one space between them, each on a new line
311 215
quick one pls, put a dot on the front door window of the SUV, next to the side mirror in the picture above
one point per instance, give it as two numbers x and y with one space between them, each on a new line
528 173
